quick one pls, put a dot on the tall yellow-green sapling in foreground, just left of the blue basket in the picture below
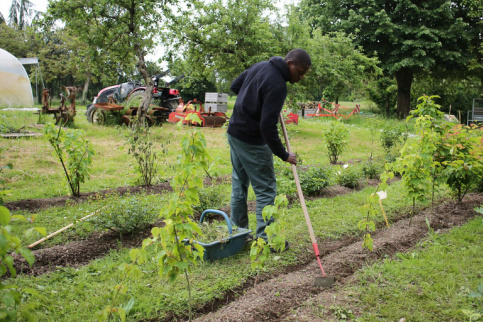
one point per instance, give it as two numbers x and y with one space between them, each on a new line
176 250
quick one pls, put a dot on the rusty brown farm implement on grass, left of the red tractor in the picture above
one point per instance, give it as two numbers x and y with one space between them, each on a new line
62 113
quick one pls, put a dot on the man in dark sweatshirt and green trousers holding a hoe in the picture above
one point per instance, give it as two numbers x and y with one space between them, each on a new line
253 134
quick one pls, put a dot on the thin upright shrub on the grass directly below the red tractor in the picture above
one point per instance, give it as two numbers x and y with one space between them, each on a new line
138 138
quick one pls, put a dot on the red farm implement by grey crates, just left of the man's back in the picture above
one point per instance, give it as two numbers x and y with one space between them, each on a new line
208 119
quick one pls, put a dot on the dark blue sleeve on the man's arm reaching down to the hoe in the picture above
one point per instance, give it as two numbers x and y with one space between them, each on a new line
272 106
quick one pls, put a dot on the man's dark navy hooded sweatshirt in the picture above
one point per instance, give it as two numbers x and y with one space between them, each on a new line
261 91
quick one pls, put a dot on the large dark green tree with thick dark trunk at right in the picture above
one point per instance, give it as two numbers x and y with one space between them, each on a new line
407 36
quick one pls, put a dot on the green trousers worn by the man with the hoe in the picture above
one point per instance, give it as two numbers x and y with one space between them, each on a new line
252 164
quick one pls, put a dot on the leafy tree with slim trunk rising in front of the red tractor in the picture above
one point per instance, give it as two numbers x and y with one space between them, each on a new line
116 29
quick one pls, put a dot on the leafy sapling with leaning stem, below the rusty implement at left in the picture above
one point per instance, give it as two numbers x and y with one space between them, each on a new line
74 152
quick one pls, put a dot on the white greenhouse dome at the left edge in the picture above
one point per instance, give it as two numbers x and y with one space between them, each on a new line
15 89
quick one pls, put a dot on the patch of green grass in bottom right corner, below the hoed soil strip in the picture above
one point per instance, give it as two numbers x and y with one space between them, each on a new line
437 281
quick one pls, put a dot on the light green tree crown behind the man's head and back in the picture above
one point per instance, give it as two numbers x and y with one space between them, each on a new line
222 38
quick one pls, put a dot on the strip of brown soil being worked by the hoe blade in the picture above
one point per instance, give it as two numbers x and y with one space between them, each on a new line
277 298
